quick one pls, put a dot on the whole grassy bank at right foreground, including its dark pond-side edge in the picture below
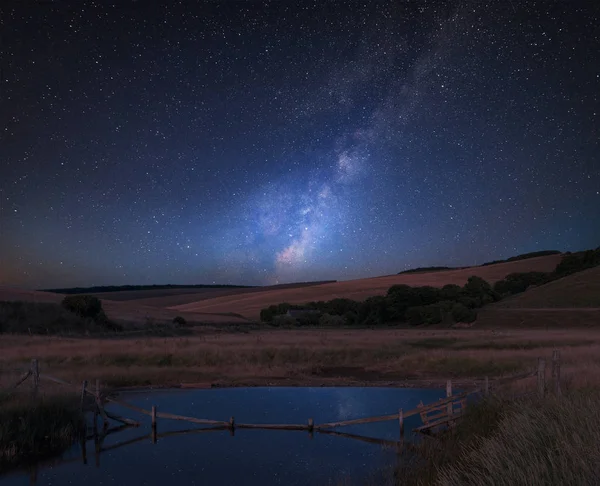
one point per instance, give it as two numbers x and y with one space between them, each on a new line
535 442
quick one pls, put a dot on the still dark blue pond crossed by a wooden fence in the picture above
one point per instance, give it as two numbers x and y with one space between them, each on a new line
249 457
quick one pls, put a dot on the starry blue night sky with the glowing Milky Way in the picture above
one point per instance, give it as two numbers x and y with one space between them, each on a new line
260 142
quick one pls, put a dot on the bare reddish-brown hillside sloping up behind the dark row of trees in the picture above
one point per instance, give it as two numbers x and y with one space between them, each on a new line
250 304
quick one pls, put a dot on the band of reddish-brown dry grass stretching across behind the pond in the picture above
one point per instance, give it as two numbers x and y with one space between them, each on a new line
310 357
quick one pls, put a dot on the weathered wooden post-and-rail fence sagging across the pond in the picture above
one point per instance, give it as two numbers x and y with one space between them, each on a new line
445 412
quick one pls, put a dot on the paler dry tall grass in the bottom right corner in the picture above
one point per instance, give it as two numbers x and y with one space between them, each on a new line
554 442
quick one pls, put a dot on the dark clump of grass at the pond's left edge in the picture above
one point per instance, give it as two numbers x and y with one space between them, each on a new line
29 432
